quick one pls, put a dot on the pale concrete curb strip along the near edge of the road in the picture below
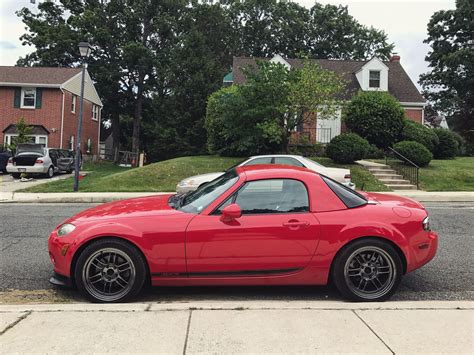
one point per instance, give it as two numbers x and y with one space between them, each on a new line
238 305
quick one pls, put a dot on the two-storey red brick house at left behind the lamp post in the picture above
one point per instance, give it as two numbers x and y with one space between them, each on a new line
48 99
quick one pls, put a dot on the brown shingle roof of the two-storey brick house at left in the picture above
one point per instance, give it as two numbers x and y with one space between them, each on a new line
36 75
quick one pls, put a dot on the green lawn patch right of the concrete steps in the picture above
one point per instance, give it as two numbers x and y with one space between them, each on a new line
448 175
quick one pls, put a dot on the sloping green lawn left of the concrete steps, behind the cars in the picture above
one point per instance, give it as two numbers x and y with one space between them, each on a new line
163 176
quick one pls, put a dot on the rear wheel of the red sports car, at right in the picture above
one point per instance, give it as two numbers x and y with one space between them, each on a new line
367 270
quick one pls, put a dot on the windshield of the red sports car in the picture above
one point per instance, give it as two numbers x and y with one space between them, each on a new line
198 200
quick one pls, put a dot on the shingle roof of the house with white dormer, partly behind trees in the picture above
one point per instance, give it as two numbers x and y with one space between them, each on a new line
399 83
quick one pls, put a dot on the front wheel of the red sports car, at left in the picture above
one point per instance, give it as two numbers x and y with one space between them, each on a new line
96 290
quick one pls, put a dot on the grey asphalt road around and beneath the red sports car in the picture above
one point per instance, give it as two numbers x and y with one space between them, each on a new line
25 265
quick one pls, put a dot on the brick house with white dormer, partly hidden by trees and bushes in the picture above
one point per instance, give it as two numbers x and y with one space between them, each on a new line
371 75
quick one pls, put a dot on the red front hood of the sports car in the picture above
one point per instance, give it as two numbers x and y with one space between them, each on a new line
135 207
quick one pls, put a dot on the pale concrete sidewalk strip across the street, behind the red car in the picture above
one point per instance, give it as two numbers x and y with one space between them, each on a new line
101 197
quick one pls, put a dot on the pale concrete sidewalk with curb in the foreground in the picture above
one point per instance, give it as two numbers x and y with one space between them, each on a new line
239 327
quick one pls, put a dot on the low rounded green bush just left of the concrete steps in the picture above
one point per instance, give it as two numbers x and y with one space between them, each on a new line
347 147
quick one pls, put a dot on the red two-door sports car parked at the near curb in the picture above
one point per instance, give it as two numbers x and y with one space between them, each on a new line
256 225
